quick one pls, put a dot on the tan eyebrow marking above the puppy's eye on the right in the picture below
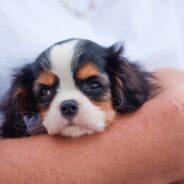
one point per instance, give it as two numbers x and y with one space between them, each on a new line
87 70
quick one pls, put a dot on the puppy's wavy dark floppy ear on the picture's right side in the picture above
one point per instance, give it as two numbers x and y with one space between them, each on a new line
129 83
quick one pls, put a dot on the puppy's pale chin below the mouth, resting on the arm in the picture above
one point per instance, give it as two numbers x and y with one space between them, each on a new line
75 131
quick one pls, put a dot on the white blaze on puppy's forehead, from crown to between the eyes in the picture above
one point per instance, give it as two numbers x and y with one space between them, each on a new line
61 61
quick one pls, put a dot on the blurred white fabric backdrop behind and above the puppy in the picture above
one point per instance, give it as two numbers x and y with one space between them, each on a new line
152 31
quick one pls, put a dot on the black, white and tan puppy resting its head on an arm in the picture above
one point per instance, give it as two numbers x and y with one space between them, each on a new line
74 87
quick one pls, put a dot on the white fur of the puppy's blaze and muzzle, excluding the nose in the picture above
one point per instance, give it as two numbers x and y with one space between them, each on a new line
90 118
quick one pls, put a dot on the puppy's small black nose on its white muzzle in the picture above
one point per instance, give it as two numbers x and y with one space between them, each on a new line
69 108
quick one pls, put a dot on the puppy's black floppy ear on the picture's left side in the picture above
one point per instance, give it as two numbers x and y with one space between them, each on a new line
17 102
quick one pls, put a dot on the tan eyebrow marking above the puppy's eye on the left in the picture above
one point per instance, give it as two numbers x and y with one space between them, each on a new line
46 78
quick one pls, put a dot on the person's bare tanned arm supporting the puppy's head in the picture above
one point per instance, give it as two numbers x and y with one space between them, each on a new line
144 147
